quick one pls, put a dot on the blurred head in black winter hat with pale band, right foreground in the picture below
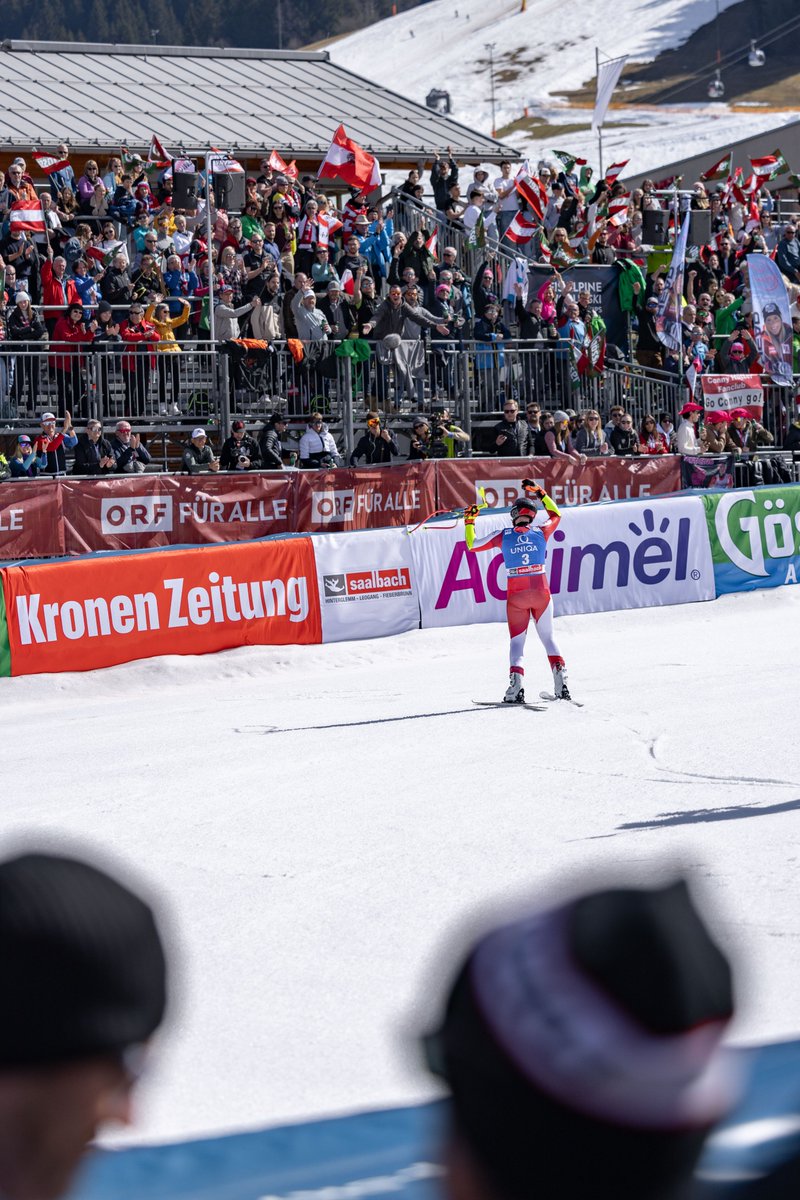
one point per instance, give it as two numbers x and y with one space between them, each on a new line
582 1046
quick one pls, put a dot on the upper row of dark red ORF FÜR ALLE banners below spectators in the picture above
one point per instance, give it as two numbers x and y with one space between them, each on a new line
52 518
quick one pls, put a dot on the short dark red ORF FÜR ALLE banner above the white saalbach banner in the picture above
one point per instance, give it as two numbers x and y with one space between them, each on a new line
365 497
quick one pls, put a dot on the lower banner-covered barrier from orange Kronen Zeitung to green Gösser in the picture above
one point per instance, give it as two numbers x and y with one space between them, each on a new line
94 613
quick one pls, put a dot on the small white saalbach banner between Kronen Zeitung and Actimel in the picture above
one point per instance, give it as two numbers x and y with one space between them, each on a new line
366 585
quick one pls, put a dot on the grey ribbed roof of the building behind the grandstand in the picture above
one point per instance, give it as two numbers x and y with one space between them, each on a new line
99 97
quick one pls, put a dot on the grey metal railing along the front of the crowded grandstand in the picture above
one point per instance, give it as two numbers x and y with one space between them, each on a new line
214 385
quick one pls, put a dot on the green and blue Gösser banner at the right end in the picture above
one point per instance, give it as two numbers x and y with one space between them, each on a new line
755 538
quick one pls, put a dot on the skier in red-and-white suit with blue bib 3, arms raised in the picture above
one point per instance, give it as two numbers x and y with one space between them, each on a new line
536 518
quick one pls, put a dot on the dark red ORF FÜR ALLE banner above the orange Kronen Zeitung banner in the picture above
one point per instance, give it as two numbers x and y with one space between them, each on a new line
145 512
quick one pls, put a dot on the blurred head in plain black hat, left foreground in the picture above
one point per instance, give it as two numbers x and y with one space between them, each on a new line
85 991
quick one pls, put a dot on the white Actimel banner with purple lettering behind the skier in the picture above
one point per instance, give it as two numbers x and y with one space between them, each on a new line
603 557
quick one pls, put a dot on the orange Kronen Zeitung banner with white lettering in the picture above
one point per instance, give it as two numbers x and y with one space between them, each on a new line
88 614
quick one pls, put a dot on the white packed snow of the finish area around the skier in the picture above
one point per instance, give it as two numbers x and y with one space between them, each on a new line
320 821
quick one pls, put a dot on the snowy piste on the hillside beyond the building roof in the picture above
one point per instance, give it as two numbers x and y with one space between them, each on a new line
549 50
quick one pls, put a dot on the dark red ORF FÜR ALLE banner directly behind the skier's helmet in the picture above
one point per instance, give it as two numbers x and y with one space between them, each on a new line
568 483
